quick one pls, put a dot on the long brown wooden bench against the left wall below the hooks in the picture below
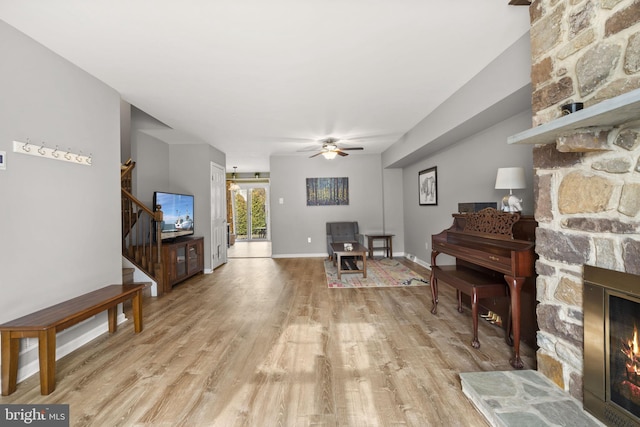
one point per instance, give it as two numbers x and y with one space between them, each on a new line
45 323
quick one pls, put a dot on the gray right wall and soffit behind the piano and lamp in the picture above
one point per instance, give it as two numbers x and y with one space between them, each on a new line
465 138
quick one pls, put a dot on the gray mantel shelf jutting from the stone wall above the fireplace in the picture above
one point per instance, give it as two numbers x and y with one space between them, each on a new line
605 115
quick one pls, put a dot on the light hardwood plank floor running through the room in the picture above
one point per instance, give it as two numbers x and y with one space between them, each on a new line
264 342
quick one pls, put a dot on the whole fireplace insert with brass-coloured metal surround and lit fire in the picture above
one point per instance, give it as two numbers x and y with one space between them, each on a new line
612 346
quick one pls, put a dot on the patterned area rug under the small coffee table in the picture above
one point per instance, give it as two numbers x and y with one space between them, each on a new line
381 273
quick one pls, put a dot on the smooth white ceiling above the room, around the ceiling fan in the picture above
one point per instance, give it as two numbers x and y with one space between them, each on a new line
256 78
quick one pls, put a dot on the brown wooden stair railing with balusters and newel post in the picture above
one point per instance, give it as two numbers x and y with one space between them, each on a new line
141 228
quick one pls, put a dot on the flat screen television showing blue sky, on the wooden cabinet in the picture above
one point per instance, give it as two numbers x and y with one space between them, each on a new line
177 210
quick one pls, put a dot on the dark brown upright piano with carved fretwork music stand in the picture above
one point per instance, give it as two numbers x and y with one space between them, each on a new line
495 246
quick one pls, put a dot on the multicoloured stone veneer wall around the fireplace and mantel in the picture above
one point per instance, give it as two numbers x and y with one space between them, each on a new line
587 185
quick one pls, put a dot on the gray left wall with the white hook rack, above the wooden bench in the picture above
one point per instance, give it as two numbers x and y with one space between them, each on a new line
61 221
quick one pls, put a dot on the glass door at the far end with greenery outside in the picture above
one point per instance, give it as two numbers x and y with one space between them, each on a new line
250 205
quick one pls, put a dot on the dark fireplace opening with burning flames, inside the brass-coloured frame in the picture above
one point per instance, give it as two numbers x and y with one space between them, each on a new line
624 355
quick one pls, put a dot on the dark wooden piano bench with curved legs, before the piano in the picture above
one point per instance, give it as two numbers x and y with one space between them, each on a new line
470 282
